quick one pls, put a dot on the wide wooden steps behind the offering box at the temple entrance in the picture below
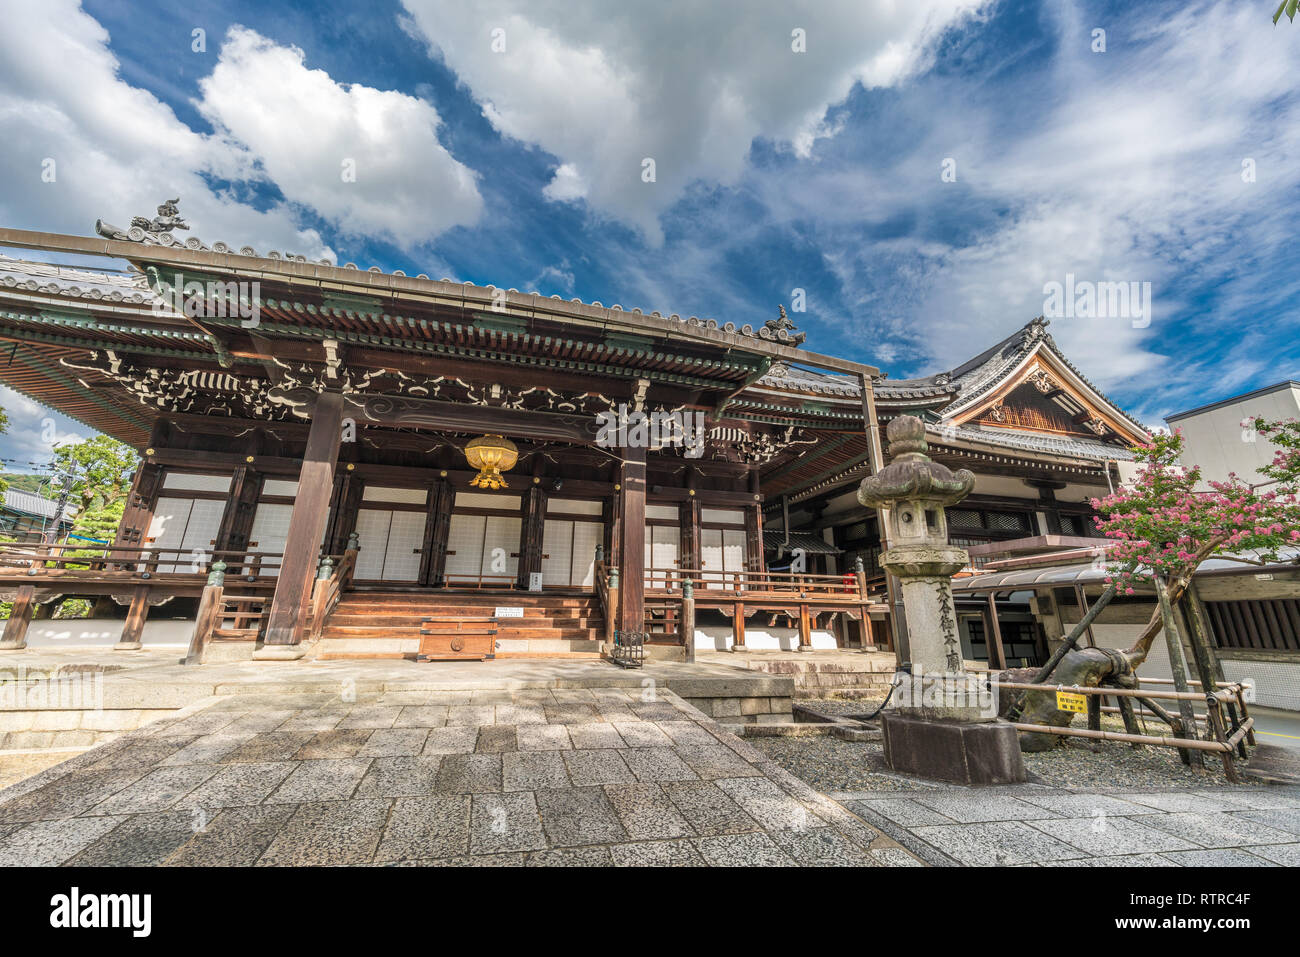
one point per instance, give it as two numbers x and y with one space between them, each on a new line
387 625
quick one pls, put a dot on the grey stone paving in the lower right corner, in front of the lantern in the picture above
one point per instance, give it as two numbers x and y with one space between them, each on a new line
1039 826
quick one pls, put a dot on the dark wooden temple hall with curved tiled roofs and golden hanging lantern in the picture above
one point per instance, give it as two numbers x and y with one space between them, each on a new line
343 462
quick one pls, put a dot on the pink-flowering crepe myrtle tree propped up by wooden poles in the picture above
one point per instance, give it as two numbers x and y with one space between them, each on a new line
1160 530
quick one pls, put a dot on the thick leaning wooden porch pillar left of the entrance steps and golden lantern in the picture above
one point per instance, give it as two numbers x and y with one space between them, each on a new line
306 527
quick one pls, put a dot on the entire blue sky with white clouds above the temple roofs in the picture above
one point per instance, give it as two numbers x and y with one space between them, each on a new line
505 142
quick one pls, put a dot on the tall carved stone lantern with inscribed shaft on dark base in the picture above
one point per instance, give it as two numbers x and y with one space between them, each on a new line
942 722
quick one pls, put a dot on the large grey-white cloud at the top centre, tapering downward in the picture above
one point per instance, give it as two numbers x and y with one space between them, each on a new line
690 86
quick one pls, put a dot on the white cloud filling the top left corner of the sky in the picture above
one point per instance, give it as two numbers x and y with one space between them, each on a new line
118 151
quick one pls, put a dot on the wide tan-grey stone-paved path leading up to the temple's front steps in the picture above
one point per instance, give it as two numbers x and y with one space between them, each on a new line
540 777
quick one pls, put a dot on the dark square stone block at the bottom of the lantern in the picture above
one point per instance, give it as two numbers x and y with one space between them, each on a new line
954 751
